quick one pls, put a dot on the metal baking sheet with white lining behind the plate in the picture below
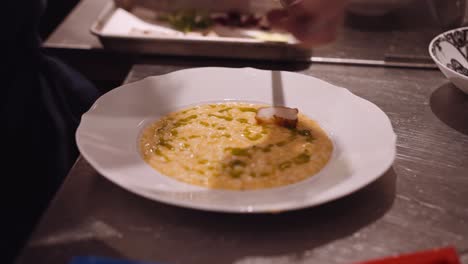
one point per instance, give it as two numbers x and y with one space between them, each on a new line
136 30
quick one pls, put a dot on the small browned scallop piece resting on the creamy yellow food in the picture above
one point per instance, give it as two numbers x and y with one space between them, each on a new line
279 115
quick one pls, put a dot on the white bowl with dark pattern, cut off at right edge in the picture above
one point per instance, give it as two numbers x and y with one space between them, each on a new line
450 52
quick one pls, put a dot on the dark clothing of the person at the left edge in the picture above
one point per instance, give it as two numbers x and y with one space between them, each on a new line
42 102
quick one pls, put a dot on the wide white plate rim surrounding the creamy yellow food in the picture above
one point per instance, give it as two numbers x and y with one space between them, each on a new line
362 134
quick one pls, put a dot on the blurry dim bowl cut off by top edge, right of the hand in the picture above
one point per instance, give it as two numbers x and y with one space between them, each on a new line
375 7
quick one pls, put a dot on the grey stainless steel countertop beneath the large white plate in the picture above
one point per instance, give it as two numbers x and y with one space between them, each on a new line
419 204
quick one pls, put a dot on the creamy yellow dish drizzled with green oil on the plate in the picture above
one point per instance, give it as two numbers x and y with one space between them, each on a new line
222 146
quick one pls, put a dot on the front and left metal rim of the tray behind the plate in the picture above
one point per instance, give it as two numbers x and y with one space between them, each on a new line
220 47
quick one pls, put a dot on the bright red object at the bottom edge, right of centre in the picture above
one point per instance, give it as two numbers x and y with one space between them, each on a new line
446 255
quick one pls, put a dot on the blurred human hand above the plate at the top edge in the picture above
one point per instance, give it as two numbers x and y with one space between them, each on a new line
313 22
